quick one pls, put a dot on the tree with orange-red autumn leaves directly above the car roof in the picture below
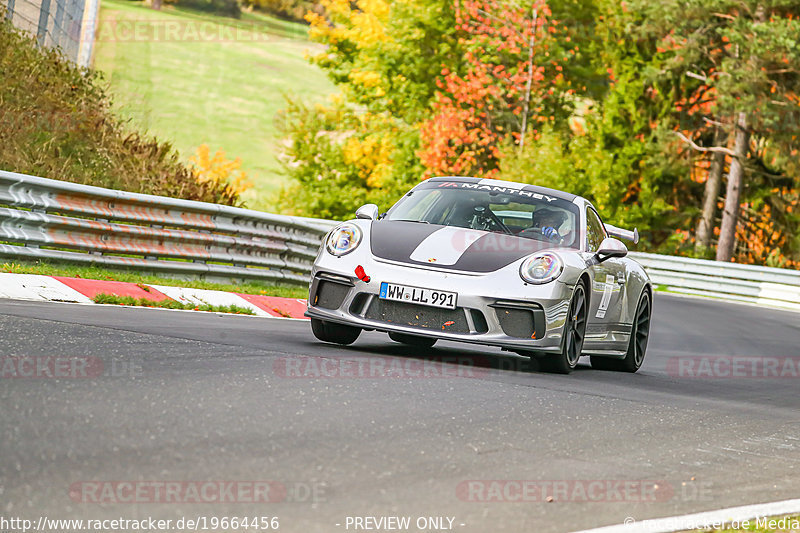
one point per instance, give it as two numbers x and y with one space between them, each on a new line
514 77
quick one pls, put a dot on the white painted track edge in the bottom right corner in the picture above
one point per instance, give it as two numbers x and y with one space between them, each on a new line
757 515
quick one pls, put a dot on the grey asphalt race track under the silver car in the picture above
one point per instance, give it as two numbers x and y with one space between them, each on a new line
203 397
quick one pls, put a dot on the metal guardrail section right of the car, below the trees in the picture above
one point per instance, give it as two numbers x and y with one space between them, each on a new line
745 283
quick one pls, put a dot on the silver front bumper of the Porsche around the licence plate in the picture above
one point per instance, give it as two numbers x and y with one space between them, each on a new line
494 309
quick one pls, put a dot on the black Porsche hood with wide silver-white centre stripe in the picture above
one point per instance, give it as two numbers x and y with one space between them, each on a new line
447 247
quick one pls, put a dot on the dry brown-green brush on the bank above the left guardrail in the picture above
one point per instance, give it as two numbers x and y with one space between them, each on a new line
57 123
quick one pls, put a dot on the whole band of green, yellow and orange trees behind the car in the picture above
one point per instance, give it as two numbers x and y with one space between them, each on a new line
615 101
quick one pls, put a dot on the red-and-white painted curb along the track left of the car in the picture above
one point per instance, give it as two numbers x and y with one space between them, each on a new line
79 290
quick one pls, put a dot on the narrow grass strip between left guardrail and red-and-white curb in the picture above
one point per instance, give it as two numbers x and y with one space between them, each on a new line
91 272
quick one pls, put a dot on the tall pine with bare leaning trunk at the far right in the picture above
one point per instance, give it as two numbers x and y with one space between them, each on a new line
747 57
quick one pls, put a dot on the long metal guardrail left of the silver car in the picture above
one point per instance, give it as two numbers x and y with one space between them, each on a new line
66 222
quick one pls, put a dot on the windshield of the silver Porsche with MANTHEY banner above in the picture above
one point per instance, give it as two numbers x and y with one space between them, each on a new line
498 209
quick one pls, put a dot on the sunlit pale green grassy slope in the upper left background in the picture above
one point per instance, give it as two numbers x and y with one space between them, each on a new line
221 92
